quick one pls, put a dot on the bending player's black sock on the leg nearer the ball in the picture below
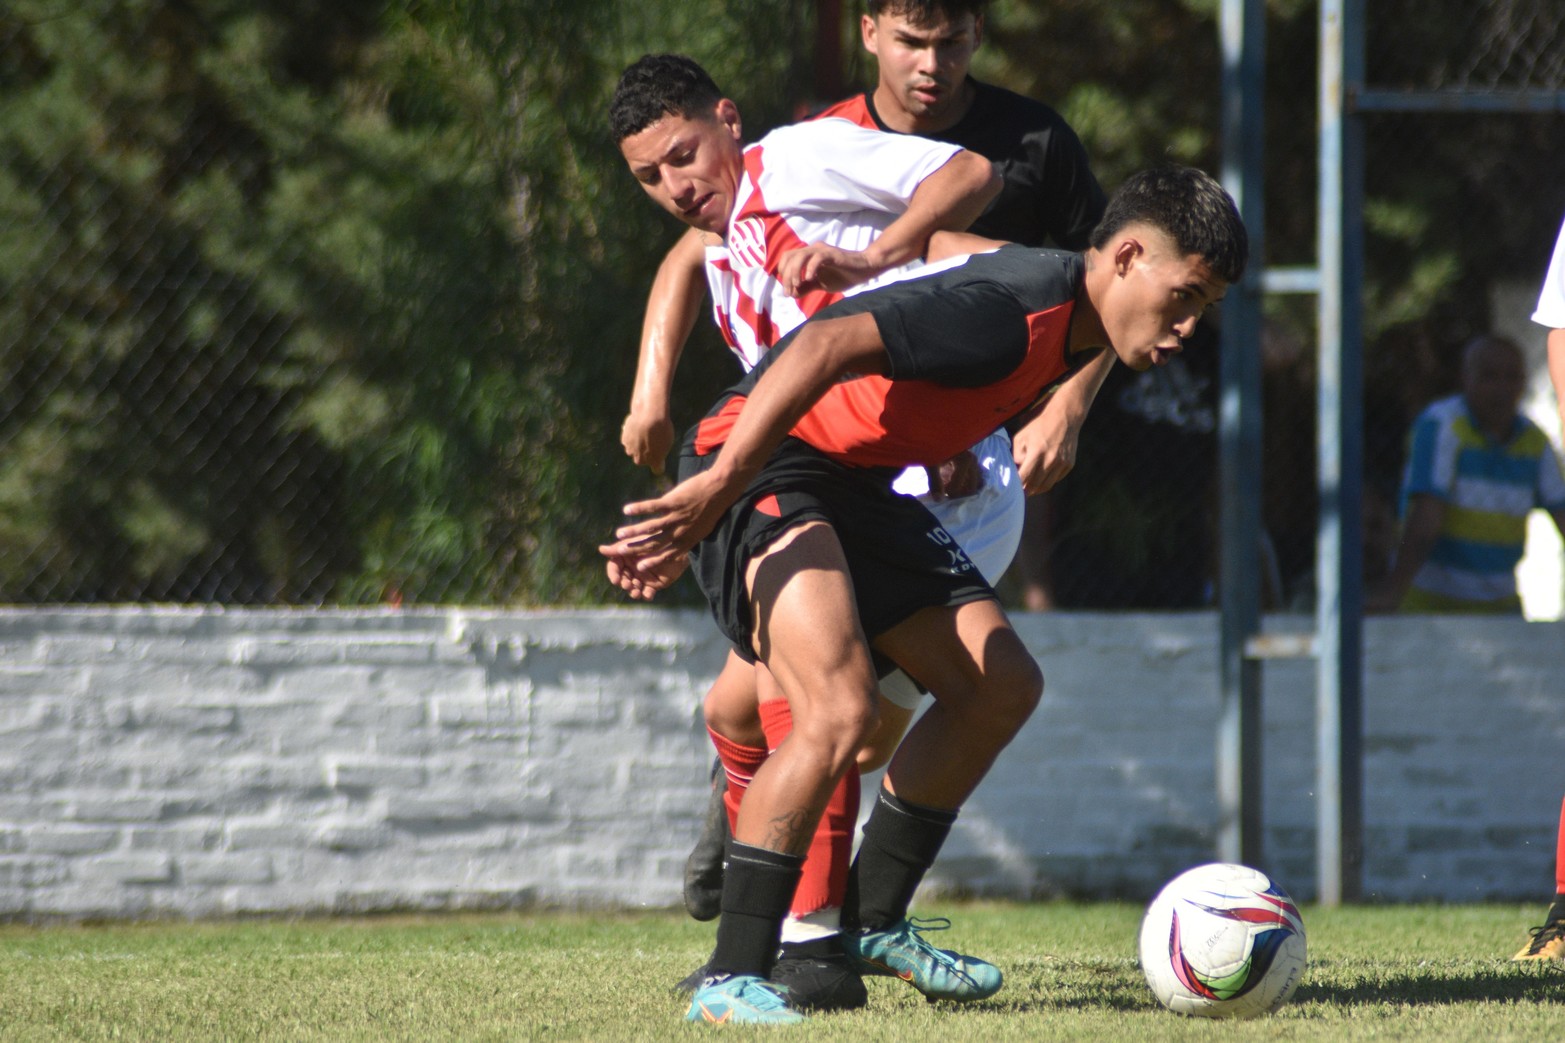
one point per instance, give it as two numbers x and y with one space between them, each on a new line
901 843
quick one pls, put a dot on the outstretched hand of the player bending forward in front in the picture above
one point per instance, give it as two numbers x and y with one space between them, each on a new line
650 554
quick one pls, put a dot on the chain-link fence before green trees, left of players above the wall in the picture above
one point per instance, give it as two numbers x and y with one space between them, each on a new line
270 322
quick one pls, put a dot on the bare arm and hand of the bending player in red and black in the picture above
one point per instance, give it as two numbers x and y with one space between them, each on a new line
675 522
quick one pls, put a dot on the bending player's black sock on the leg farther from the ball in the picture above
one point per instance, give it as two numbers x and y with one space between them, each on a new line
758 889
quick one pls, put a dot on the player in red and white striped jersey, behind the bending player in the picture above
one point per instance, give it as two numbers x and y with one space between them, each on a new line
816 211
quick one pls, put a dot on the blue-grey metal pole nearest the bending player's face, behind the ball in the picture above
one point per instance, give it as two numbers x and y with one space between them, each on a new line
1239 757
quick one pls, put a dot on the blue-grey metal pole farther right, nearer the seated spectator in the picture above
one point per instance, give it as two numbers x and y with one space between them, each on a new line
1340 444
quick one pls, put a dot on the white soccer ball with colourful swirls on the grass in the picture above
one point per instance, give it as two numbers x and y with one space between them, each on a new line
1223 942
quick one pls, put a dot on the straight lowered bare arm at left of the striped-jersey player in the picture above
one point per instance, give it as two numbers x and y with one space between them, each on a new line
672 309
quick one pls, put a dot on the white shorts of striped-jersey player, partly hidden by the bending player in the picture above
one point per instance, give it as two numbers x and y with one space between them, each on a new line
987 525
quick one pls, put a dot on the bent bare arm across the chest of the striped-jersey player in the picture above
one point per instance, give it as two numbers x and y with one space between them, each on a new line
949 200
